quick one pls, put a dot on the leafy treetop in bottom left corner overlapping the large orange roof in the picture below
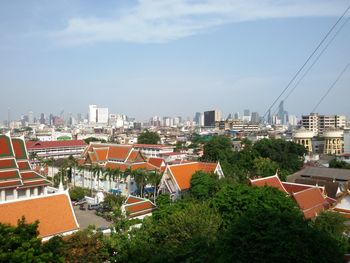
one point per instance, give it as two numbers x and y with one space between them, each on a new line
21 244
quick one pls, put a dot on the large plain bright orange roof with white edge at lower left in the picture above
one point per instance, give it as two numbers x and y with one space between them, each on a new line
53 219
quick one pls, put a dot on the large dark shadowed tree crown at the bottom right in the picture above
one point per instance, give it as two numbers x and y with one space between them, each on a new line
269 235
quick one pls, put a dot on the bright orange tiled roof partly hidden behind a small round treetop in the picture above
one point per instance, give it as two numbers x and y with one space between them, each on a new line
183 172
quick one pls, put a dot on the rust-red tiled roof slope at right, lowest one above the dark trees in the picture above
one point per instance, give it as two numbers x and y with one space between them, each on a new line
311 202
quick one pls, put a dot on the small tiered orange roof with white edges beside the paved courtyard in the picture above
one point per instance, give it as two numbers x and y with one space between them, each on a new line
136 206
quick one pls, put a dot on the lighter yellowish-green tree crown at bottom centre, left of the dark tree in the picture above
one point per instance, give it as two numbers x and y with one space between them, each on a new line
186 234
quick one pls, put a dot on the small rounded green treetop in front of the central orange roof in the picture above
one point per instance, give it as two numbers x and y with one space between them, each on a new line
203 185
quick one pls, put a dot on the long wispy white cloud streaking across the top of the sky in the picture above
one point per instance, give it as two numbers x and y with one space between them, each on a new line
157 21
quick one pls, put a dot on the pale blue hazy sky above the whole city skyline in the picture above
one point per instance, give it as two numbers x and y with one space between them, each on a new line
170 57
